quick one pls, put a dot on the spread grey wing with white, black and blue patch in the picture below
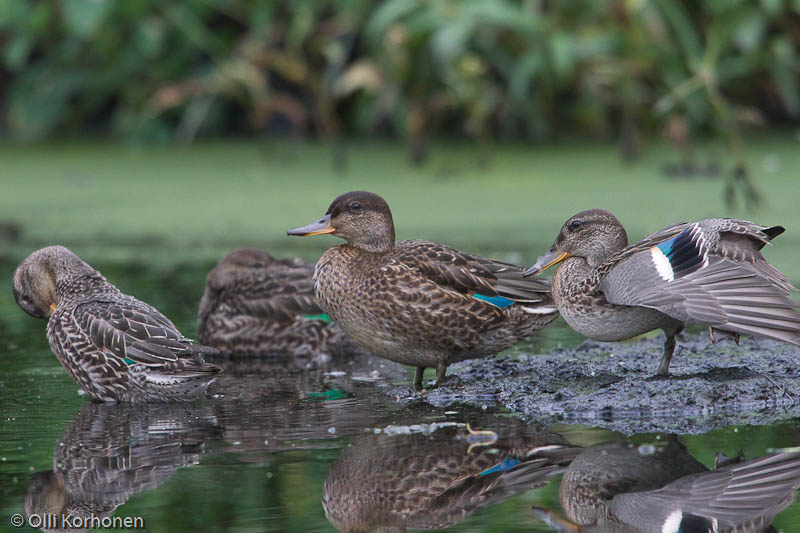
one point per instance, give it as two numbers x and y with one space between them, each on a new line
710 272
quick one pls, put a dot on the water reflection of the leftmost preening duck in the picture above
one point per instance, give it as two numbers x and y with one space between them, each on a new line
111 452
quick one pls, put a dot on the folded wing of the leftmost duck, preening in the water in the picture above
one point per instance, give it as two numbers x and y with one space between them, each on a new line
134 331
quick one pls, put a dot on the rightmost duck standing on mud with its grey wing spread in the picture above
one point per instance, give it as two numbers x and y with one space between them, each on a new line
709 272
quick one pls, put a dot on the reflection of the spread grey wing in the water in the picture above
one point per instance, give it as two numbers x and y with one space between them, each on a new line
748 492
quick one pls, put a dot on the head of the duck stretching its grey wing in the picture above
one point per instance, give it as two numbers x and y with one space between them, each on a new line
591 235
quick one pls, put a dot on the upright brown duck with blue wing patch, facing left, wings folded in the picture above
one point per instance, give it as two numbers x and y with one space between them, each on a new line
417 302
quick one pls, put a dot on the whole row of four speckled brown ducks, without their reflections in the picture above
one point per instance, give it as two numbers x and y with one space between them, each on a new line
414 302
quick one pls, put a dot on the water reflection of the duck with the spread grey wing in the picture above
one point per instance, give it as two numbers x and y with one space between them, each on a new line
621 487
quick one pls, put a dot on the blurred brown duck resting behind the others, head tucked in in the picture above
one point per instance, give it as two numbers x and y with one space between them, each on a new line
255 304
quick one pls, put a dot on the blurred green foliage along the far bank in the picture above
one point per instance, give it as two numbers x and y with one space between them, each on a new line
534 69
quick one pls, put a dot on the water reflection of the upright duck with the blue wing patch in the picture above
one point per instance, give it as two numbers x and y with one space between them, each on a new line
424 480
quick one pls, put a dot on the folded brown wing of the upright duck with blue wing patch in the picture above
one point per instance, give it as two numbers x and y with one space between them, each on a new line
472 274
